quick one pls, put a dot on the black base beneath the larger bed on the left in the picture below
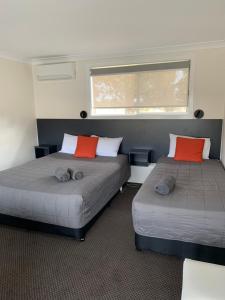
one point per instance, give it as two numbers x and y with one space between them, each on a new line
77 233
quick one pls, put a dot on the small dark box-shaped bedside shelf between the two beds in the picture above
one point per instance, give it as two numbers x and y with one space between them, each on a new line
140 157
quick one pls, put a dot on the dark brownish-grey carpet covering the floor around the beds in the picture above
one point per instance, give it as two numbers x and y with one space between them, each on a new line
35 265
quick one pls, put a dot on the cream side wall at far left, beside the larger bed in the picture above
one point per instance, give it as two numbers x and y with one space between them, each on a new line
17 115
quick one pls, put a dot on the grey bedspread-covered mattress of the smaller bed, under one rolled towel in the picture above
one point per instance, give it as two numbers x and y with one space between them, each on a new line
194 212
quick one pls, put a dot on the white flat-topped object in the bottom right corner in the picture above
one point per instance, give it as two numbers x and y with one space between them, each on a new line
203 281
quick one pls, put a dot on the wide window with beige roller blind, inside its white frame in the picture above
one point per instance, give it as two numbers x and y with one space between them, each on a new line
140 89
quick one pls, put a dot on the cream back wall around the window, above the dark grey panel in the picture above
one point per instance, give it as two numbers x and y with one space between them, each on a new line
65 99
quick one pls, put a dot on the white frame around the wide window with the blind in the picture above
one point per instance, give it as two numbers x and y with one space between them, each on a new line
156 115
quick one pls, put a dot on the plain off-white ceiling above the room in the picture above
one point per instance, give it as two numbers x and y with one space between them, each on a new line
36 28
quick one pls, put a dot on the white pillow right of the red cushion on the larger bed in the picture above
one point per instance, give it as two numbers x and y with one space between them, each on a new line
108 146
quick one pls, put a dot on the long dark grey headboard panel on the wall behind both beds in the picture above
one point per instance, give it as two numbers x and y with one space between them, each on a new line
153 133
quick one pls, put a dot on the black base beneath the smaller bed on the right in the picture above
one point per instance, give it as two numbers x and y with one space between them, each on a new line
181 249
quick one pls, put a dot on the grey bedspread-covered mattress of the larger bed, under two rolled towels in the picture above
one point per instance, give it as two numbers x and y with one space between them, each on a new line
32 192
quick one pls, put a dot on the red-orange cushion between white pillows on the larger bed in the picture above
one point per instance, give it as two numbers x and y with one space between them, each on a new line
86 146
